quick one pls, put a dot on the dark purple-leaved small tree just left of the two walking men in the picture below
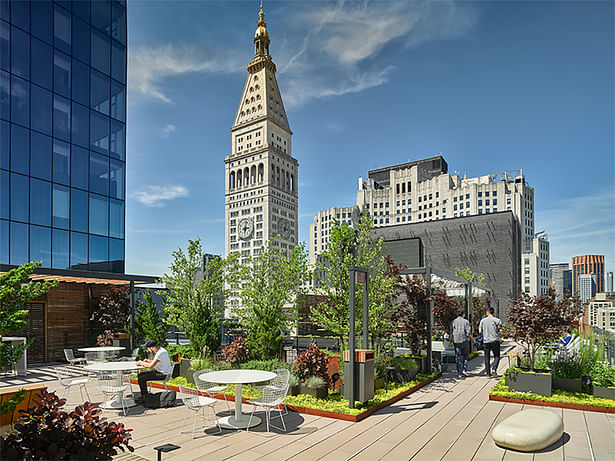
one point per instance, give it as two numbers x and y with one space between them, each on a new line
411 312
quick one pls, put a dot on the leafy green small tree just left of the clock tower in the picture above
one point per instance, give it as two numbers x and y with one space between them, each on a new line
194 298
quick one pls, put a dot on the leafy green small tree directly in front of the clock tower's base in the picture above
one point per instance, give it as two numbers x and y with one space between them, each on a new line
269 281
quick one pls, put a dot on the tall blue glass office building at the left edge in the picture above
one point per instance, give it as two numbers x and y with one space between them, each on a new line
63 133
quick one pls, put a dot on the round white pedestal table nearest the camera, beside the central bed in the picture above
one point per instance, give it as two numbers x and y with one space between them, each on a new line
237 377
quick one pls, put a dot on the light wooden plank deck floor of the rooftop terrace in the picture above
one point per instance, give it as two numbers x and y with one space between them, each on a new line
451 419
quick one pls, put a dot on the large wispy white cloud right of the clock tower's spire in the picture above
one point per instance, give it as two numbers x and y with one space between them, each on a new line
342 52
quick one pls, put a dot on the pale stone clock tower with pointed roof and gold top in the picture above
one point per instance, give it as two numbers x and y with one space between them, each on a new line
261 174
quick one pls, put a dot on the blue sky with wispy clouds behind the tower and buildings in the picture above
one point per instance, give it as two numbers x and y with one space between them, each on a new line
490 85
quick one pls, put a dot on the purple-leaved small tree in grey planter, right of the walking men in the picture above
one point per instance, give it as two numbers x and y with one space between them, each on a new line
535 322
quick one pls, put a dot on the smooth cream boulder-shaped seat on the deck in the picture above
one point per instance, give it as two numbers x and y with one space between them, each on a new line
529 430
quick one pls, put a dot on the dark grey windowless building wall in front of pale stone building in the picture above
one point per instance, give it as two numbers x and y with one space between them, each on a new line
487 244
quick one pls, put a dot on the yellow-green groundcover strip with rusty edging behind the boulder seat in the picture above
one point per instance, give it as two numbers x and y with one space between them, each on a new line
558 399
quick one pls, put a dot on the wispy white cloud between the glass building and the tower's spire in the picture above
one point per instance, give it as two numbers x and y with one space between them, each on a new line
148 68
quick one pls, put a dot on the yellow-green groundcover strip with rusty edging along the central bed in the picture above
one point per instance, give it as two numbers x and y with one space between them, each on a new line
333 407
